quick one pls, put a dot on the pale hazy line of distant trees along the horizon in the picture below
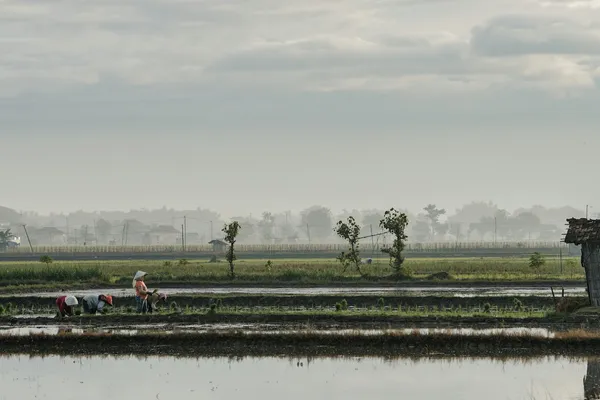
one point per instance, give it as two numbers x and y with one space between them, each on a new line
477 221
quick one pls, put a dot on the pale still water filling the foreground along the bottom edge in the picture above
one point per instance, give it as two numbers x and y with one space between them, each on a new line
99 378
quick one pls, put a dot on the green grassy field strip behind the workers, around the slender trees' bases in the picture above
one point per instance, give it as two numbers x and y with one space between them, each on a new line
84 274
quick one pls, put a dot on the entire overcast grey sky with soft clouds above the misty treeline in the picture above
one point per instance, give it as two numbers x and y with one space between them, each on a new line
251 105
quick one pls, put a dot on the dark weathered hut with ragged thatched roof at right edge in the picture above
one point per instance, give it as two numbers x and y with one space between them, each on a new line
586 232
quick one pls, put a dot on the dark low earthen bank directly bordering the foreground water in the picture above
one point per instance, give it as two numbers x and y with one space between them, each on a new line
238 344
